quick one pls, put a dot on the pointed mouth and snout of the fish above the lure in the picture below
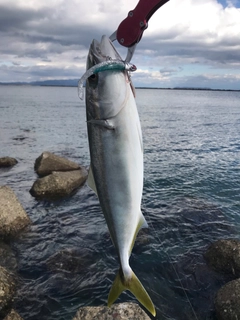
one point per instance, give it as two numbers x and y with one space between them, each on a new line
101 51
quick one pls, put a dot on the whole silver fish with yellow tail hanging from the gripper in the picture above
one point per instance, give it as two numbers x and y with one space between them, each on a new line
116 168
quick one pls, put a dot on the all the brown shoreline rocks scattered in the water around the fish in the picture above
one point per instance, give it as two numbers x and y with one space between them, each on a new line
59 178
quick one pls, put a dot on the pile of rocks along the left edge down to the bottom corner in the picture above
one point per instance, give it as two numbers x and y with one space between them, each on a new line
13 220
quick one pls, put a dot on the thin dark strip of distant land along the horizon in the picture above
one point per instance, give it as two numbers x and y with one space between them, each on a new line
145 88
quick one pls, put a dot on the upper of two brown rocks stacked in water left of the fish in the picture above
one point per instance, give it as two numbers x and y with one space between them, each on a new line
48 162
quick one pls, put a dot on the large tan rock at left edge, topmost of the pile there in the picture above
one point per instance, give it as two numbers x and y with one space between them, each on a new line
13 217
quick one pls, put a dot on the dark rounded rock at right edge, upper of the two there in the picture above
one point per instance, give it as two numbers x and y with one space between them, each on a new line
224 257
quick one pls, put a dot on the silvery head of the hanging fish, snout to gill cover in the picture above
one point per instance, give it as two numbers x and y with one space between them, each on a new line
106 91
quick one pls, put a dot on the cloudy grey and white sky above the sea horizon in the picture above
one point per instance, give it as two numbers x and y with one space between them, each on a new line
188 43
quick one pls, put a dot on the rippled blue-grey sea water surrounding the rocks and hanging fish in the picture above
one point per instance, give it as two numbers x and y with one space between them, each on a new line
191 197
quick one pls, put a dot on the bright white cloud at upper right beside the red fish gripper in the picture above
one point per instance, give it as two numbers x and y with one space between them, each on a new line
192 26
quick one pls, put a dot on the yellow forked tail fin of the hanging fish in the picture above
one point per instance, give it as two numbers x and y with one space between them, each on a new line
133 285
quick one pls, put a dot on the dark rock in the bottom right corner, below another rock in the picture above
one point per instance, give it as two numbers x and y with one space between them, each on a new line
227 302
